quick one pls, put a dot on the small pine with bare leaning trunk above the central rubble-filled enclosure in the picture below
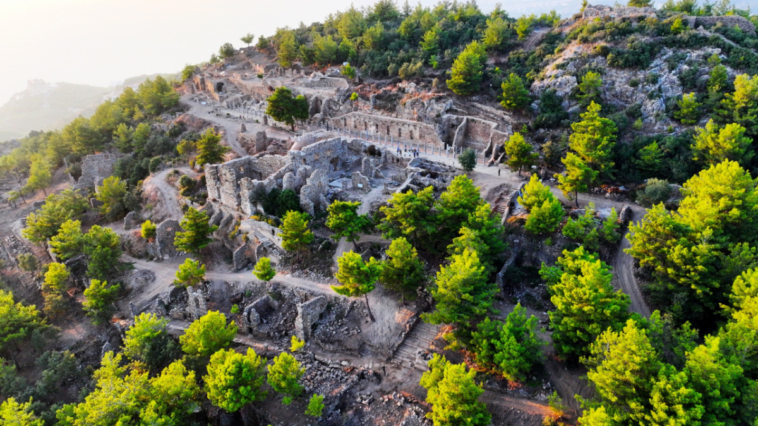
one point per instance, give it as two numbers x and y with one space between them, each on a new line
357 278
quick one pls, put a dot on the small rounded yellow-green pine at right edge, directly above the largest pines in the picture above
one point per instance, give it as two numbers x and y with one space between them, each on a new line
713 145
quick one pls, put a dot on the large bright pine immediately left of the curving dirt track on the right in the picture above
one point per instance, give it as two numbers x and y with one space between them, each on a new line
585 306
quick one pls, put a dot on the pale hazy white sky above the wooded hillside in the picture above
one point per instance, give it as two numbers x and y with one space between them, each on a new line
103 42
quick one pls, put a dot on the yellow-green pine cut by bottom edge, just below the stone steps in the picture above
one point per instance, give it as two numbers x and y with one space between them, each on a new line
453 395
